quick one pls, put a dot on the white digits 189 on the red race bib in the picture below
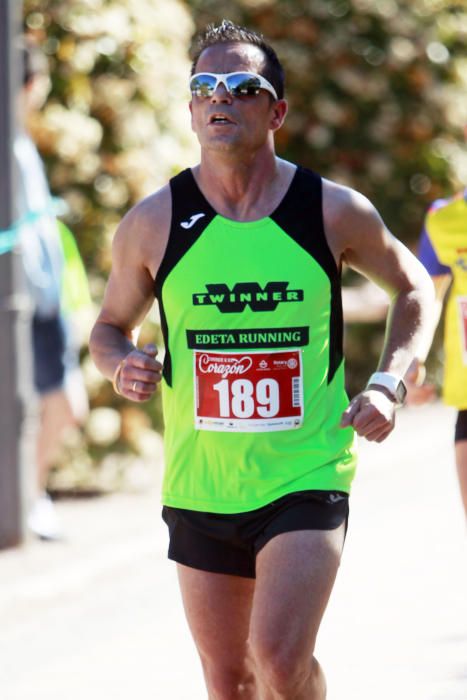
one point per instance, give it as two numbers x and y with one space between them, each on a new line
242 398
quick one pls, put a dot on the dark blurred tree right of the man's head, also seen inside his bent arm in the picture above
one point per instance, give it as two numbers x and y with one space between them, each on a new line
377 97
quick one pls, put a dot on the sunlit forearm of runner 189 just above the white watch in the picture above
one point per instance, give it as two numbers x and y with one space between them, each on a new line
409 324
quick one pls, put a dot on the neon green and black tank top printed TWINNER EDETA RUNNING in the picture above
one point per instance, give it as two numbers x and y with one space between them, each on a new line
253 383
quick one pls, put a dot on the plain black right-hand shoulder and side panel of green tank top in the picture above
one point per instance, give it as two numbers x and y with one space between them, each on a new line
300 215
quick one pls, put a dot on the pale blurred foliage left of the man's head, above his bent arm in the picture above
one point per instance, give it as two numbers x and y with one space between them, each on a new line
116 123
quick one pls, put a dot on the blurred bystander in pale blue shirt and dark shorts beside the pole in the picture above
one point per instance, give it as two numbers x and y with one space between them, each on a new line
58 287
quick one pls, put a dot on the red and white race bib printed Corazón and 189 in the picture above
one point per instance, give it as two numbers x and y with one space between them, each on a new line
248 392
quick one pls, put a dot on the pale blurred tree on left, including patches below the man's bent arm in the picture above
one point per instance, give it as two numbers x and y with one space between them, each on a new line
115 127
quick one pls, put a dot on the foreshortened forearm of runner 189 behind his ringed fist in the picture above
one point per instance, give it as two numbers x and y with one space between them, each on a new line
108 345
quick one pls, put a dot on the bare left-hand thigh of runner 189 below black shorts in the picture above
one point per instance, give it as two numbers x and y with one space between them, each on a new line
217 608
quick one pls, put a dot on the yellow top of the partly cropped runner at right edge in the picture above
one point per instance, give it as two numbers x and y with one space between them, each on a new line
446 227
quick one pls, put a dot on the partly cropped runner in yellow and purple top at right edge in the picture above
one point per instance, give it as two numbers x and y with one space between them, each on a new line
443 251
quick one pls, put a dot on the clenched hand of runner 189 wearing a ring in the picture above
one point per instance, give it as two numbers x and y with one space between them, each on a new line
140 374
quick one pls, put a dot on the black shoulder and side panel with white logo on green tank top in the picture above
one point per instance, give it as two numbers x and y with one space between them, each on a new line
191 214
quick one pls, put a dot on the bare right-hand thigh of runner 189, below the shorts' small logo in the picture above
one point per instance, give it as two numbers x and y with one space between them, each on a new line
295 573
